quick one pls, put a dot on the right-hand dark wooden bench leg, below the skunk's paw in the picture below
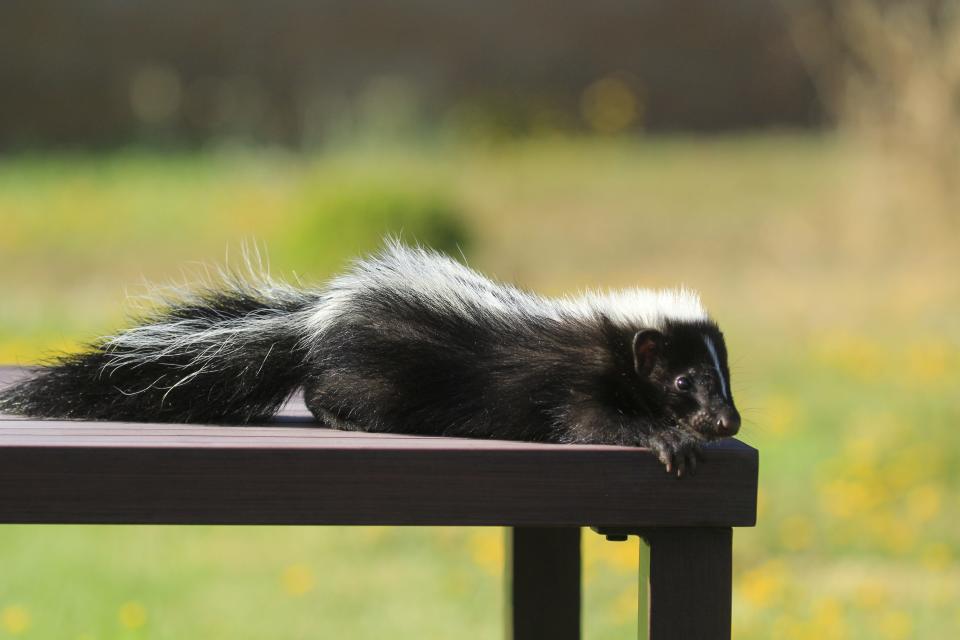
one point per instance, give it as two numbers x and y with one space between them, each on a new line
689 584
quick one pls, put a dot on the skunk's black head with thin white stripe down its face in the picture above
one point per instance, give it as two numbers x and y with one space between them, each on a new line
685 366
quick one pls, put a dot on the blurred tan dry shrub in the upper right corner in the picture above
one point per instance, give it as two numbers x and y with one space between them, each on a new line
888 71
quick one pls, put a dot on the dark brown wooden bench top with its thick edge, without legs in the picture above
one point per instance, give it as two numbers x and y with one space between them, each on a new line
294 471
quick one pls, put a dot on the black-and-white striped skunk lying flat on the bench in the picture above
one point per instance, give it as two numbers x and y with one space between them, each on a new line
410 341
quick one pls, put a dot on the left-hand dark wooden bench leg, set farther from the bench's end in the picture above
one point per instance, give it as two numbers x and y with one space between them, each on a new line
544 582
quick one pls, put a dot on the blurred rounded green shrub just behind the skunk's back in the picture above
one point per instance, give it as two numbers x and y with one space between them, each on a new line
342 217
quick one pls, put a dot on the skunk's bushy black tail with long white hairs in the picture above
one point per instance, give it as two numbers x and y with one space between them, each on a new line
230 353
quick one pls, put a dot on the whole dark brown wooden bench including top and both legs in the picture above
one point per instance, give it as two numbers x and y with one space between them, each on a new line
293 472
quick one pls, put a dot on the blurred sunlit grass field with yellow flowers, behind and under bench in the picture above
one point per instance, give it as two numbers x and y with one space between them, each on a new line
840 312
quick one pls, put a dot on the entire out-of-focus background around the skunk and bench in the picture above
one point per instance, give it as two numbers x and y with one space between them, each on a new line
798 162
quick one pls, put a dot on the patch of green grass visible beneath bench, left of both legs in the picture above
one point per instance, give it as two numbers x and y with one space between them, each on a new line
256 582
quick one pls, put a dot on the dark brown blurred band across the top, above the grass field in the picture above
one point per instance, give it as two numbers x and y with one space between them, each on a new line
297 71
